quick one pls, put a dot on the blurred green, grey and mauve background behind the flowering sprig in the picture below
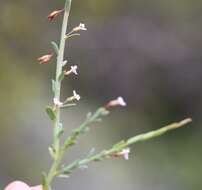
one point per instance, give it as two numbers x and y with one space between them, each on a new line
149 52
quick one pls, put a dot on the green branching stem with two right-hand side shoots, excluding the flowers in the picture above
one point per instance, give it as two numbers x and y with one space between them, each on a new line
57 150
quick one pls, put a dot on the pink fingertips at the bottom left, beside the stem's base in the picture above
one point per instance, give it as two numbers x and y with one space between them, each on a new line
18 185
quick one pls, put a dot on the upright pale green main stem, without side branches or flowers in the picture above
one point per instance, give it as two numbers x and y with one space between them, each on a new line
56 140
